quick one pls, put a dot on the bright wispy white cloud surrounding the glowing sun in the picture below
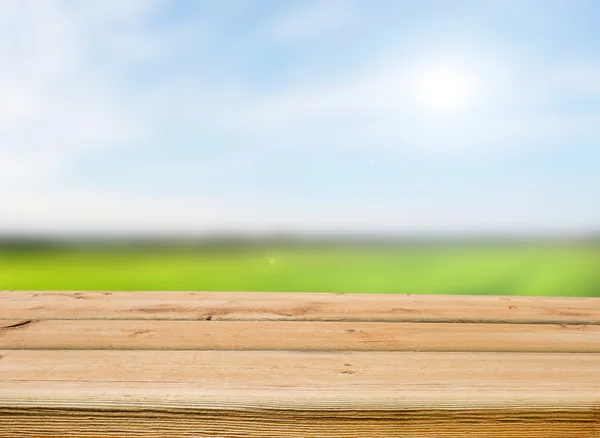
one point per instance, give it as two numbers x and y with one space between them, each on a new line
513 110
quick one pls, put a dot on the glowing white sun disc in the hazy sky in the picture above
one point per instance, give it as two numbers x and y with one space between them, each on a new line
444 88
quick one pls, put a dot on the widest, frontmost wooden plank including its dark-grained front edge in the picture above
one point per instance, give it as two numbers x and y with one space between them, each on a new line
257 394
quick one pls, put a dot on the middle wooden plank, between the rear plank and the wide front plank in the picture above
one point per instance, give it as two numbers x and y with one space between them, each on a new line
294 335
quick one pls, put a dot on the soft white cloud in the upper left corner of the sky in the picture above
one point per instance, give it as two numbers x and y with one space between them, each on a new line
53 102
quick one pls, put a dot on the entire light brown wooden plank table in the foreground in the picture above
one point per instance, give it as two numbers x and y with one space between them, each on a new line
180 364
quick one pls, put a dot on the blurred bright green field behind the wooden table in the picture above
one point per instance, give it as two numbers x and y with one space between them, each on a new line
503 269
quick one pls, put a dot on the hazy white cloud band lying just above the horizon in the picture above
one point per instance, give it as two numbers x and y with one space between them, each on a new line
112 213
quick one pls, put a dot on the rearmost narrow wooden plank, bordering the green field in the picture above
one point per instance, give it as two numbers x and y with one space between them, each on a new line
297 307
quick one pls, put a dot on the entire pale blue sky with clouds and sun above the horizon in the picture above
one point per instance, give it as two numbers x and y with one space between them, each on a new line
429 117
